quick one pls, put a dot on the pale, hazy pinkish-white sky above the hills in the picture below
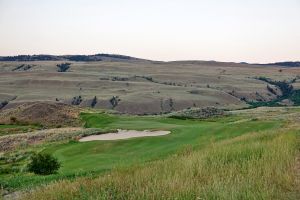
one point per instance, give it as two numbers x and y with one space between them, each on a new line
255 31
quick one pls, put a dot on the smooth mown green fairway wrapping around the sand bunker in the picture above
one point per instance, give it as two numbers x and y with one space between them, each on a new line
102 155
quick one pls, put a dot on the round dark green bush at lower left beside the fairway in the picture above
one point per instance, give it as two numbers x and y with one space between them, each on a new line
43 164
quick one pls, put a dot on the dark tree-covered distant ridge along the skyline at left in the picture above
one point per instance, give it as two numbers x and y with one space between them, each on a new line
76 58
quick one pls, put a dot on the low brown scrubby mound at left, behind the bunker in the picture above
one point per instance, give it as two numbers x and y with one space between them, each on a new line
44 113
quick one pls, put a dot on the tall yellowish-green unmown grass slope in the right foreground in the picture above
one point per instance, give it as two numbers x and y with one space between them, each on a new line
252 166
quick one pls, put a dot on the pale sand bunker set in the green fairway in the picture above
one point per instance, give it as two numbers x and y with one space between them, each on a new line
123 134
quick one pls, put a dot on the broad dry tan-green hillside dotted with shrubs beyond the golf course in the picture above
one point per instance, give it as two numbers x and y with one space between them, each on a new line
139 86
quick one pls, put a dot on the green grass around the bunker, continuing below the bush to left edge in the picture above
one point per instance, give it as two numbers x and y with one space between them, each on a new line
92 158
